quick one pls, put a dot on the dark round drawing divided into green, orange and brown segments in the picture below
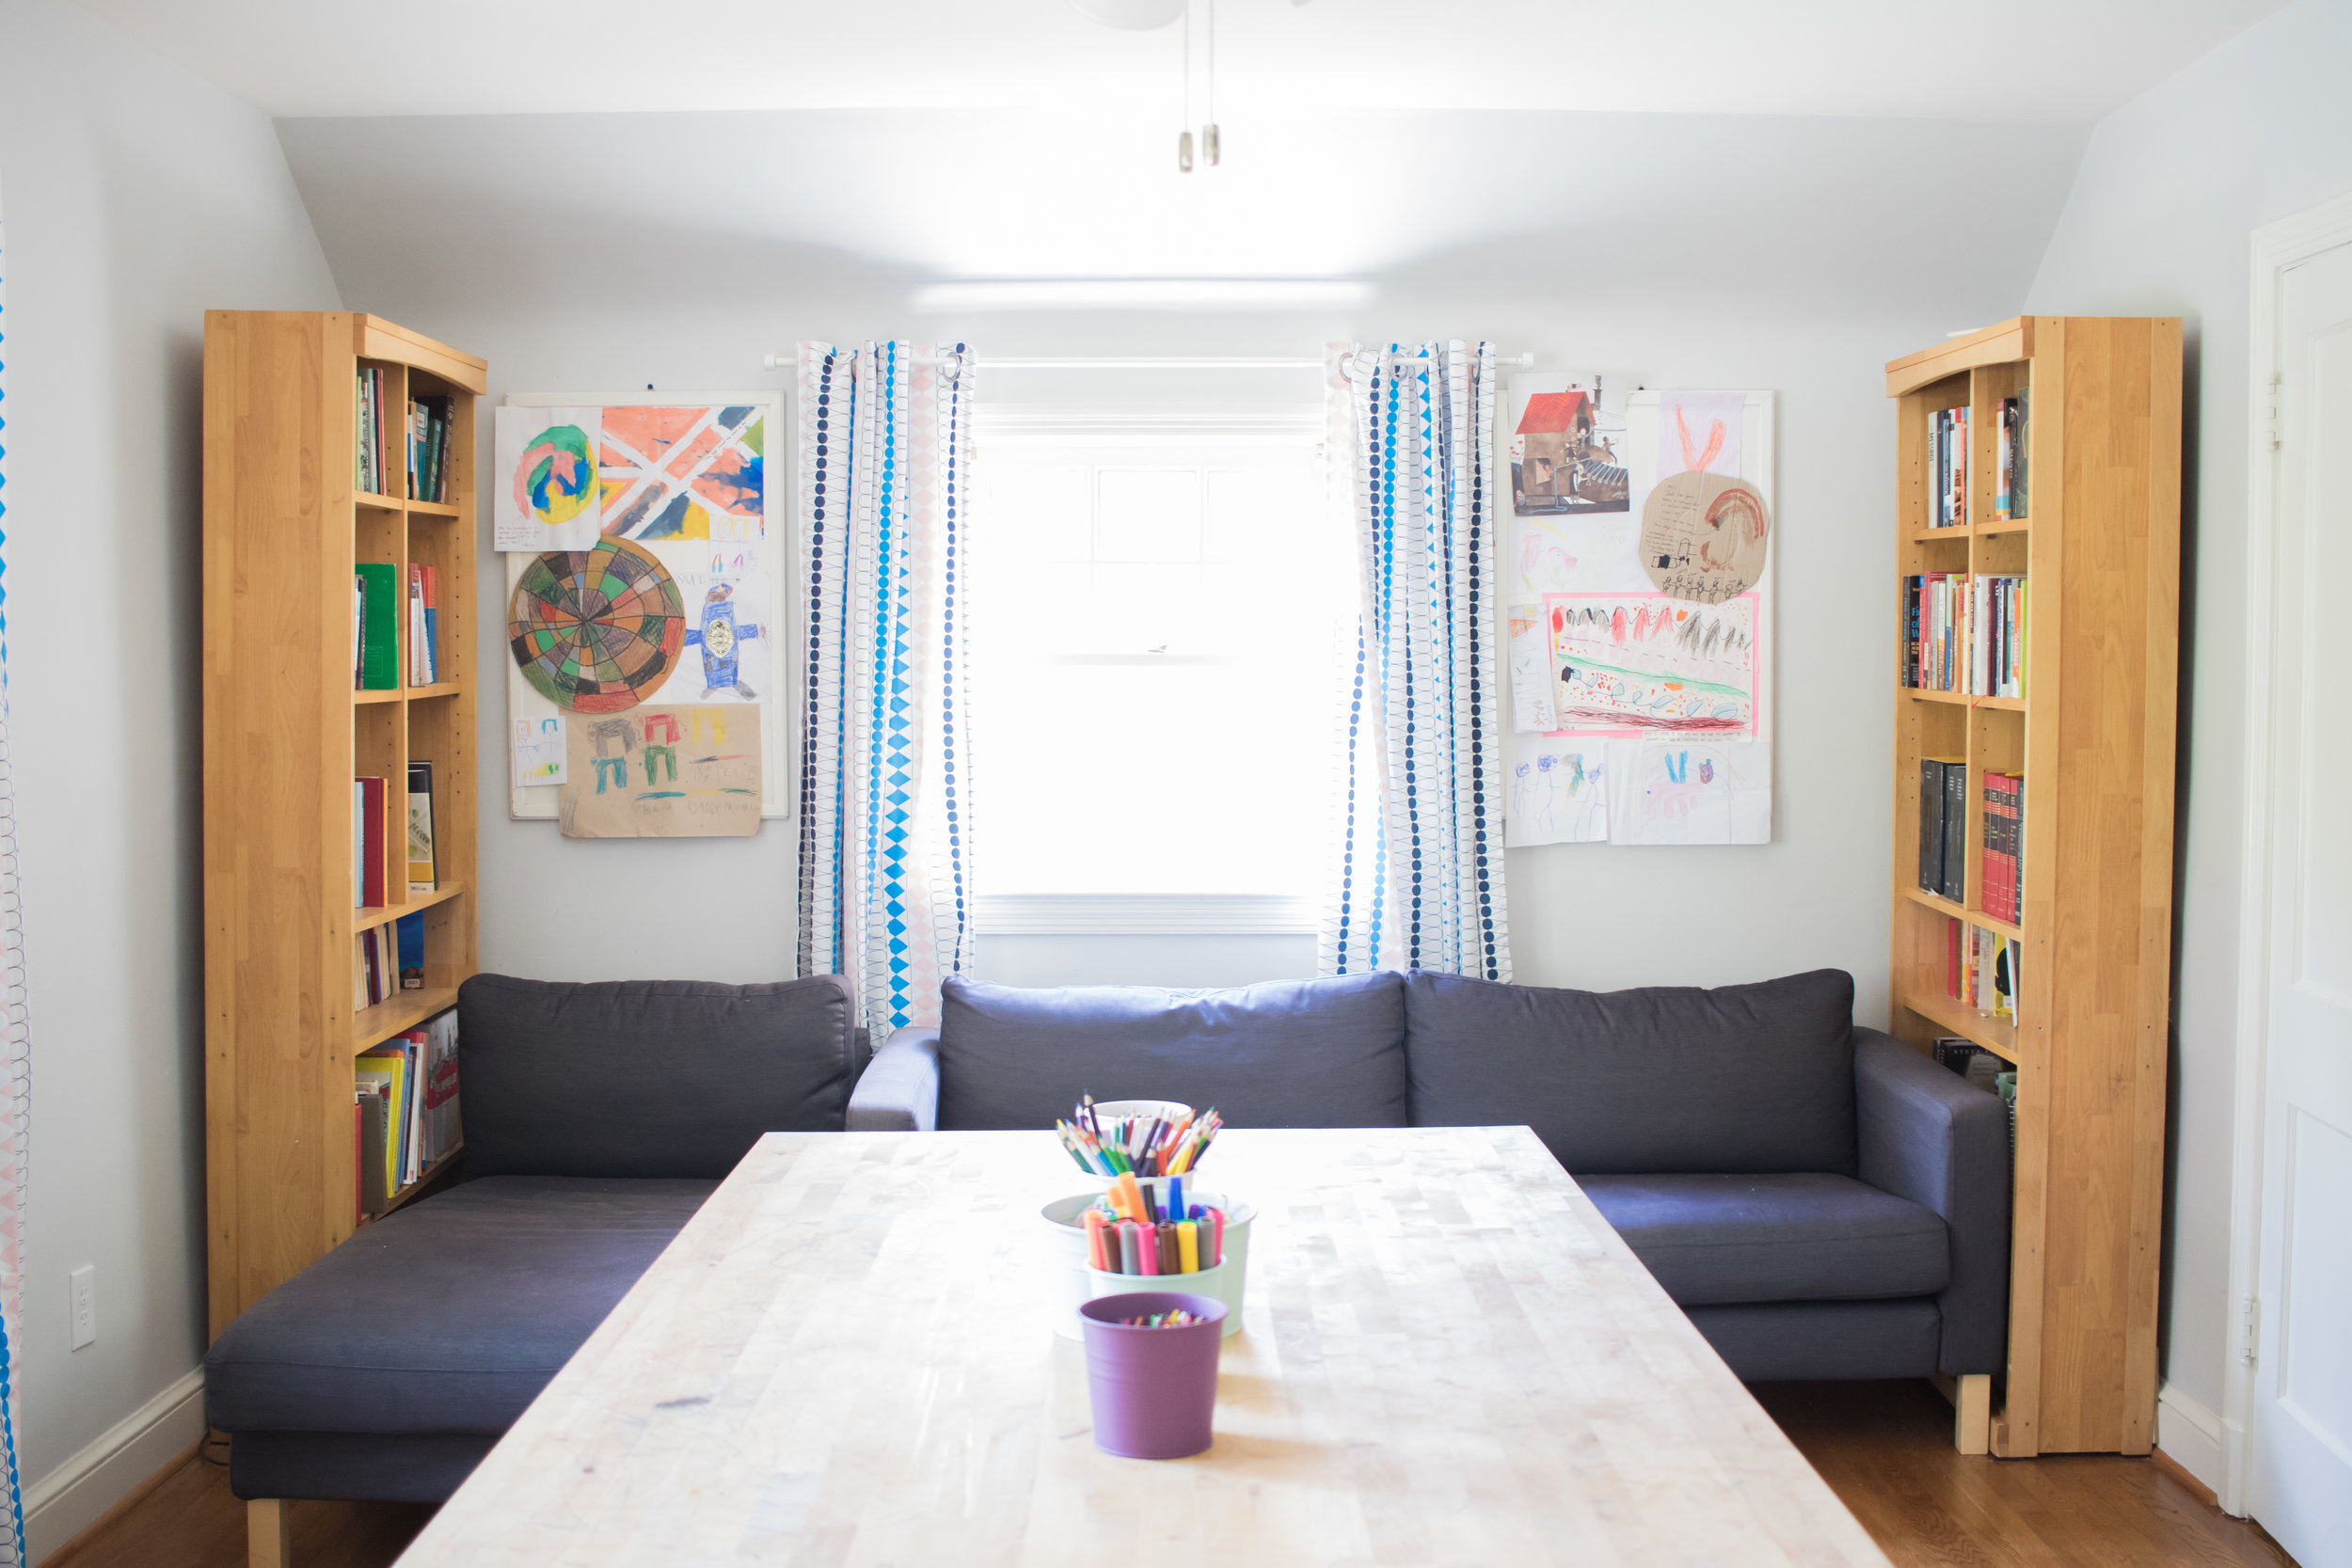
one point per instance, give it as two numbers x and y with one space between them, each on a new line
596 631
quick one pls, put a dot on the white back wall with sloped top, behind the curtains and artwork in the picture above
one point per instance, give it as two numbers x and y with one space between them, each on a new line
1737 253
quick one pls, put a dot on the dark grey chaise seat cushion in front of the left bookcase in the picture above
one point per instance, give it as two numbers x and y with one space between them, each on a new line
448 1315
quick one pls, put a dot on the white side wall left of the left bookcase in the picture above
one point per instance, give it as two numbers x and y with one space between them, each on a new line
138 199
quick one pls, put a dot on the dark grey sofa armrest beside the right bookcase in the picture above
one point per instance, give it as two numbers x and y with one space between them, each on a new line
1939 1141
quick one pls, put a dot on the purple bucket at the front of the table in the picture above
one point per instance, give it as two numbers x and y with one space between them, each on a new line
1154 1388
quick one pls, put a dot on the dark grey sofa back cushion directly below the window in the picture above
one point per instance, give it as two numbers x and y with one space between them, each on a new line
1278 1054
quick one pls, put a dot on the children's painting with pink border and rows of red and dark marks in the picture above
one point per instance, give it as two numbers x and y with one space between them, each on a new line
1638 662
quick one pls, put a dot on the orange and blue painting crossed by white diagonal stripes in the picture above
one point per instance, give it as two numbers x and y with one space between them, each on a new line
683 474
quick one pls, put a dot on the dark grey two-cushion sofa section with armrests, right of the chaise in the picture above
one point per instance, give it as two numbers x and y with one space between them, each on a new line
1819 1198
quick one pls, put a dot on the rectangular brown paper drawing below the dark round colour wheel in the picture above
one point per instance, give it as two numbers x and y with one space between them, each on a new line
662 775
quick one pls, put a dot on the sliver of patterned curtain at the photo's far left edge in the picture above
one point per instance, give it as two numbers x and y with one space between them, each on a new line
15 1038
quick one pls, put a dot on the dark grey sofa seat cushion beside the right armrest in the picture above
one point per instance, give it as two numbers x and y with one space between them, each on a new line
1716 1240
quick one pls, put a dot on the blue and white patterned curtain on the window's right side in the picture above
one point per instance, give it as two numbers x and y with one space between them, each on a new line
1419 876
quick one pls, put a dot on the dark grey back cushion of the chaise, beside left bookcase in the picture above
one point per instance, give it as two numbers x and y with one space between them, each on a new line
646 1078
